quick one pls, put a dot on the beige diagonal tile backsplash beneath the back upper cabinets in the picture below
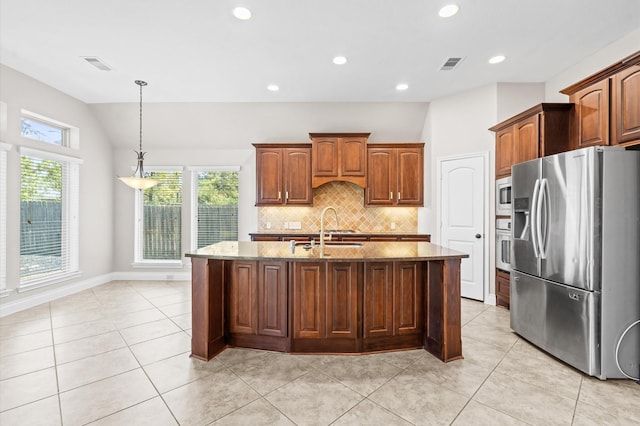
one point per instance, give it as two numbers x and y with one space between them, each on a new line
348 200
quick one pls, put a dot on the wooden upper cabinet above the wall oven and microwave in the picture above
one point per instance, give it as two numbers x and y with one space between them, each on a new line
539 131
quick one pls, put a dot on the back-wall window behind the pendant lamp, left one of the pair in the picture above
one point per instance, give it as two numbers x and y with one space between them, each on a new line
159 218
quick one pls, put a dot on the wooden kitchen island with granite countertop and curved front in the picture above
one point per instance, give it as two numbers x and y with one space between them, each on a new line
343 298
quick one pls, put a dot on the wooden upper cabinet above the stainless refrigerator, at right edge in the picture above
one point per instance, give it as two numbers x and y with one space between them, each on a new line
608 105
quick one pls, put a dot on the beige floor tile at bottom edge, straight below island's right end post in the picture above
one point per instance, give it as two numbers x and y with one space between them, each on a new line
419 401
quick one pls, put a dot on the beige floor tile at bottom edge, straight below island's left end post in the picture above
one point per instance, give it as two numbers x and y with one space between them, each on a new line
209 398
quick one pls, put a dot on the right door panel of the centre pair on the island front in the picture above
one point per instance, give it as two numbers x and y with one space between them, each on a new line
342 300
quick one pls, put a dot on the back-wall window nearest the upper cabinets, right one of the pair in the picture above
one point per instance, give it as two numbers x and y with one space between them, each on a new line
215 206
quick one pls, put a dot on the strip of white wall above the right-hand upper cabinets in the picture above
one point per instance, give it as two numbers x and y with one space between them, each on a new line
590 65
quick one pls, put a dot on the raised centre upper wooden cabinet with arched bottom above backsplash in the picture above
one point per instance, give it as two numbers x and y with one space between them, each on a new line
339 157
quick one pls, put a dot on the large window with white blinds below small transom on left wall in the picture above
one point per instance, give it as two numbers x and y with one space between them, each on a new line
49 205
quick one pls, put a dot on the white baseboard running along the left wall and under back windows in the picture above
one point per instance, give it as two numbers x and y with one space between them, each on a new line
29 301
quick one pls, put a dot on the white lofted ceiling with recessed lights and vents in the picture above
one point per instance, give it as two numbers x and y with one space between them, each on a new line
197 51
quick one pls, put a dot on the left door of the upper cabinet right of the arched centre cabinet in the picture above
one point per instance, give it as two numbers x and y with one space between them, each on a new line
381 177
